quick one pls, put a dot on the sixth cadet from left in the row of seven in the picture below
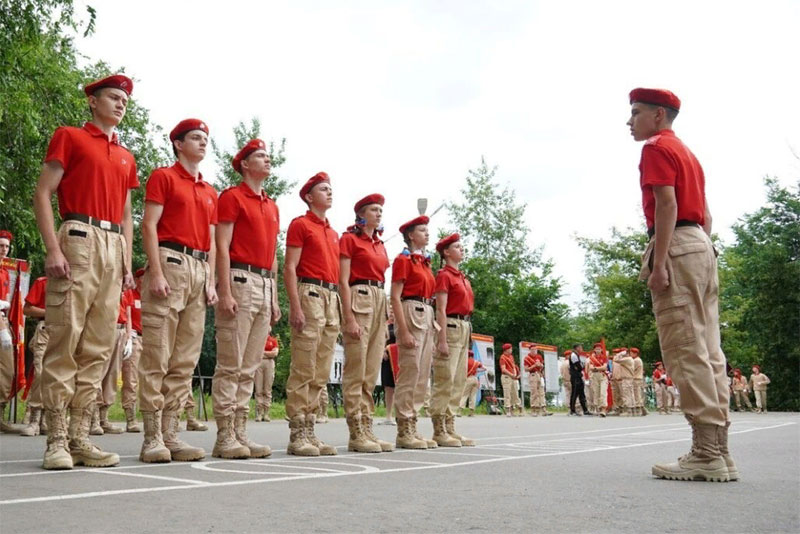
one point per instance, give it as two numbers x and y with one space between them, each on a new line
412 302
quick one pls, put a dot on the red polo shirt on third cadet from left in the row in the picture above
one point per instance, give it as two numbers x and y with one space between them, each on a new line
255 225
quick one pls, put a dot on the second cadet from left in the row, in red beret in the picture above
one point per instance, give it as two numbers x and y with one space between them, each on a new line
180 218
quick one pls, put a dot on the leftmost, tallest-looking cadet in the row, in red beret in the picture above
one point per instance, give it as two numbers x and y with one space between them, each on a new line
87 262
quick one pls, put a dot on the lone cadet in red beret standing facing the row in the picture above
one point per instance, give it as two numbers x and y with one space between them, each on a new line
680 269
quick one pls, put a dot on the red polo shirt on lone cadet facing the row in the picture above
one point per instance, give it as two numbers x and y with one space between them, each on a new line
667 161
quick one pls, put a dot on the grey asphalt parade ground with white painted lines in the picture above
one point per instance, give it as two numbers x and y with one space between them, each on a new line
526 474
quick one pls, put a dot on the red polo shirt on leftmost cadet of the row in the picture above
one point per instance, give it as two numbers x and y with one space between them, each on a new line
97 172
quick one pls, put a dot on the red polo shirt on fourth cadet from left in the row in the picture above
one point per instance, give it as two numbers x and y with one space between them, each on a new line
320 256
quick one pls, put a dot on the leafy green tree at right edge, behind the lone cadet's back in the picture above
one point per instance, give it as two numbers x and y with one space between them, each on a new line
760 298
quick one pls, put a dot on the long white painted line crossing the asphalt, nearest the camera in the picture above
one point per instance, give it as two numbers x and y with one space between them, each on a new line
373 470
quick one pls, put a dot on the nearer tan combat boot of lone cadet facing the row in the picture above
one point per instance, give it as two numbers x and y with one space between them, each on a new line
703 462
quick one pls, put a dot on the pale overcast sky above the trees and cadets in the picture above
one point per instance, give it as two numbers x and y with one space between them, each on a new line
402 98
